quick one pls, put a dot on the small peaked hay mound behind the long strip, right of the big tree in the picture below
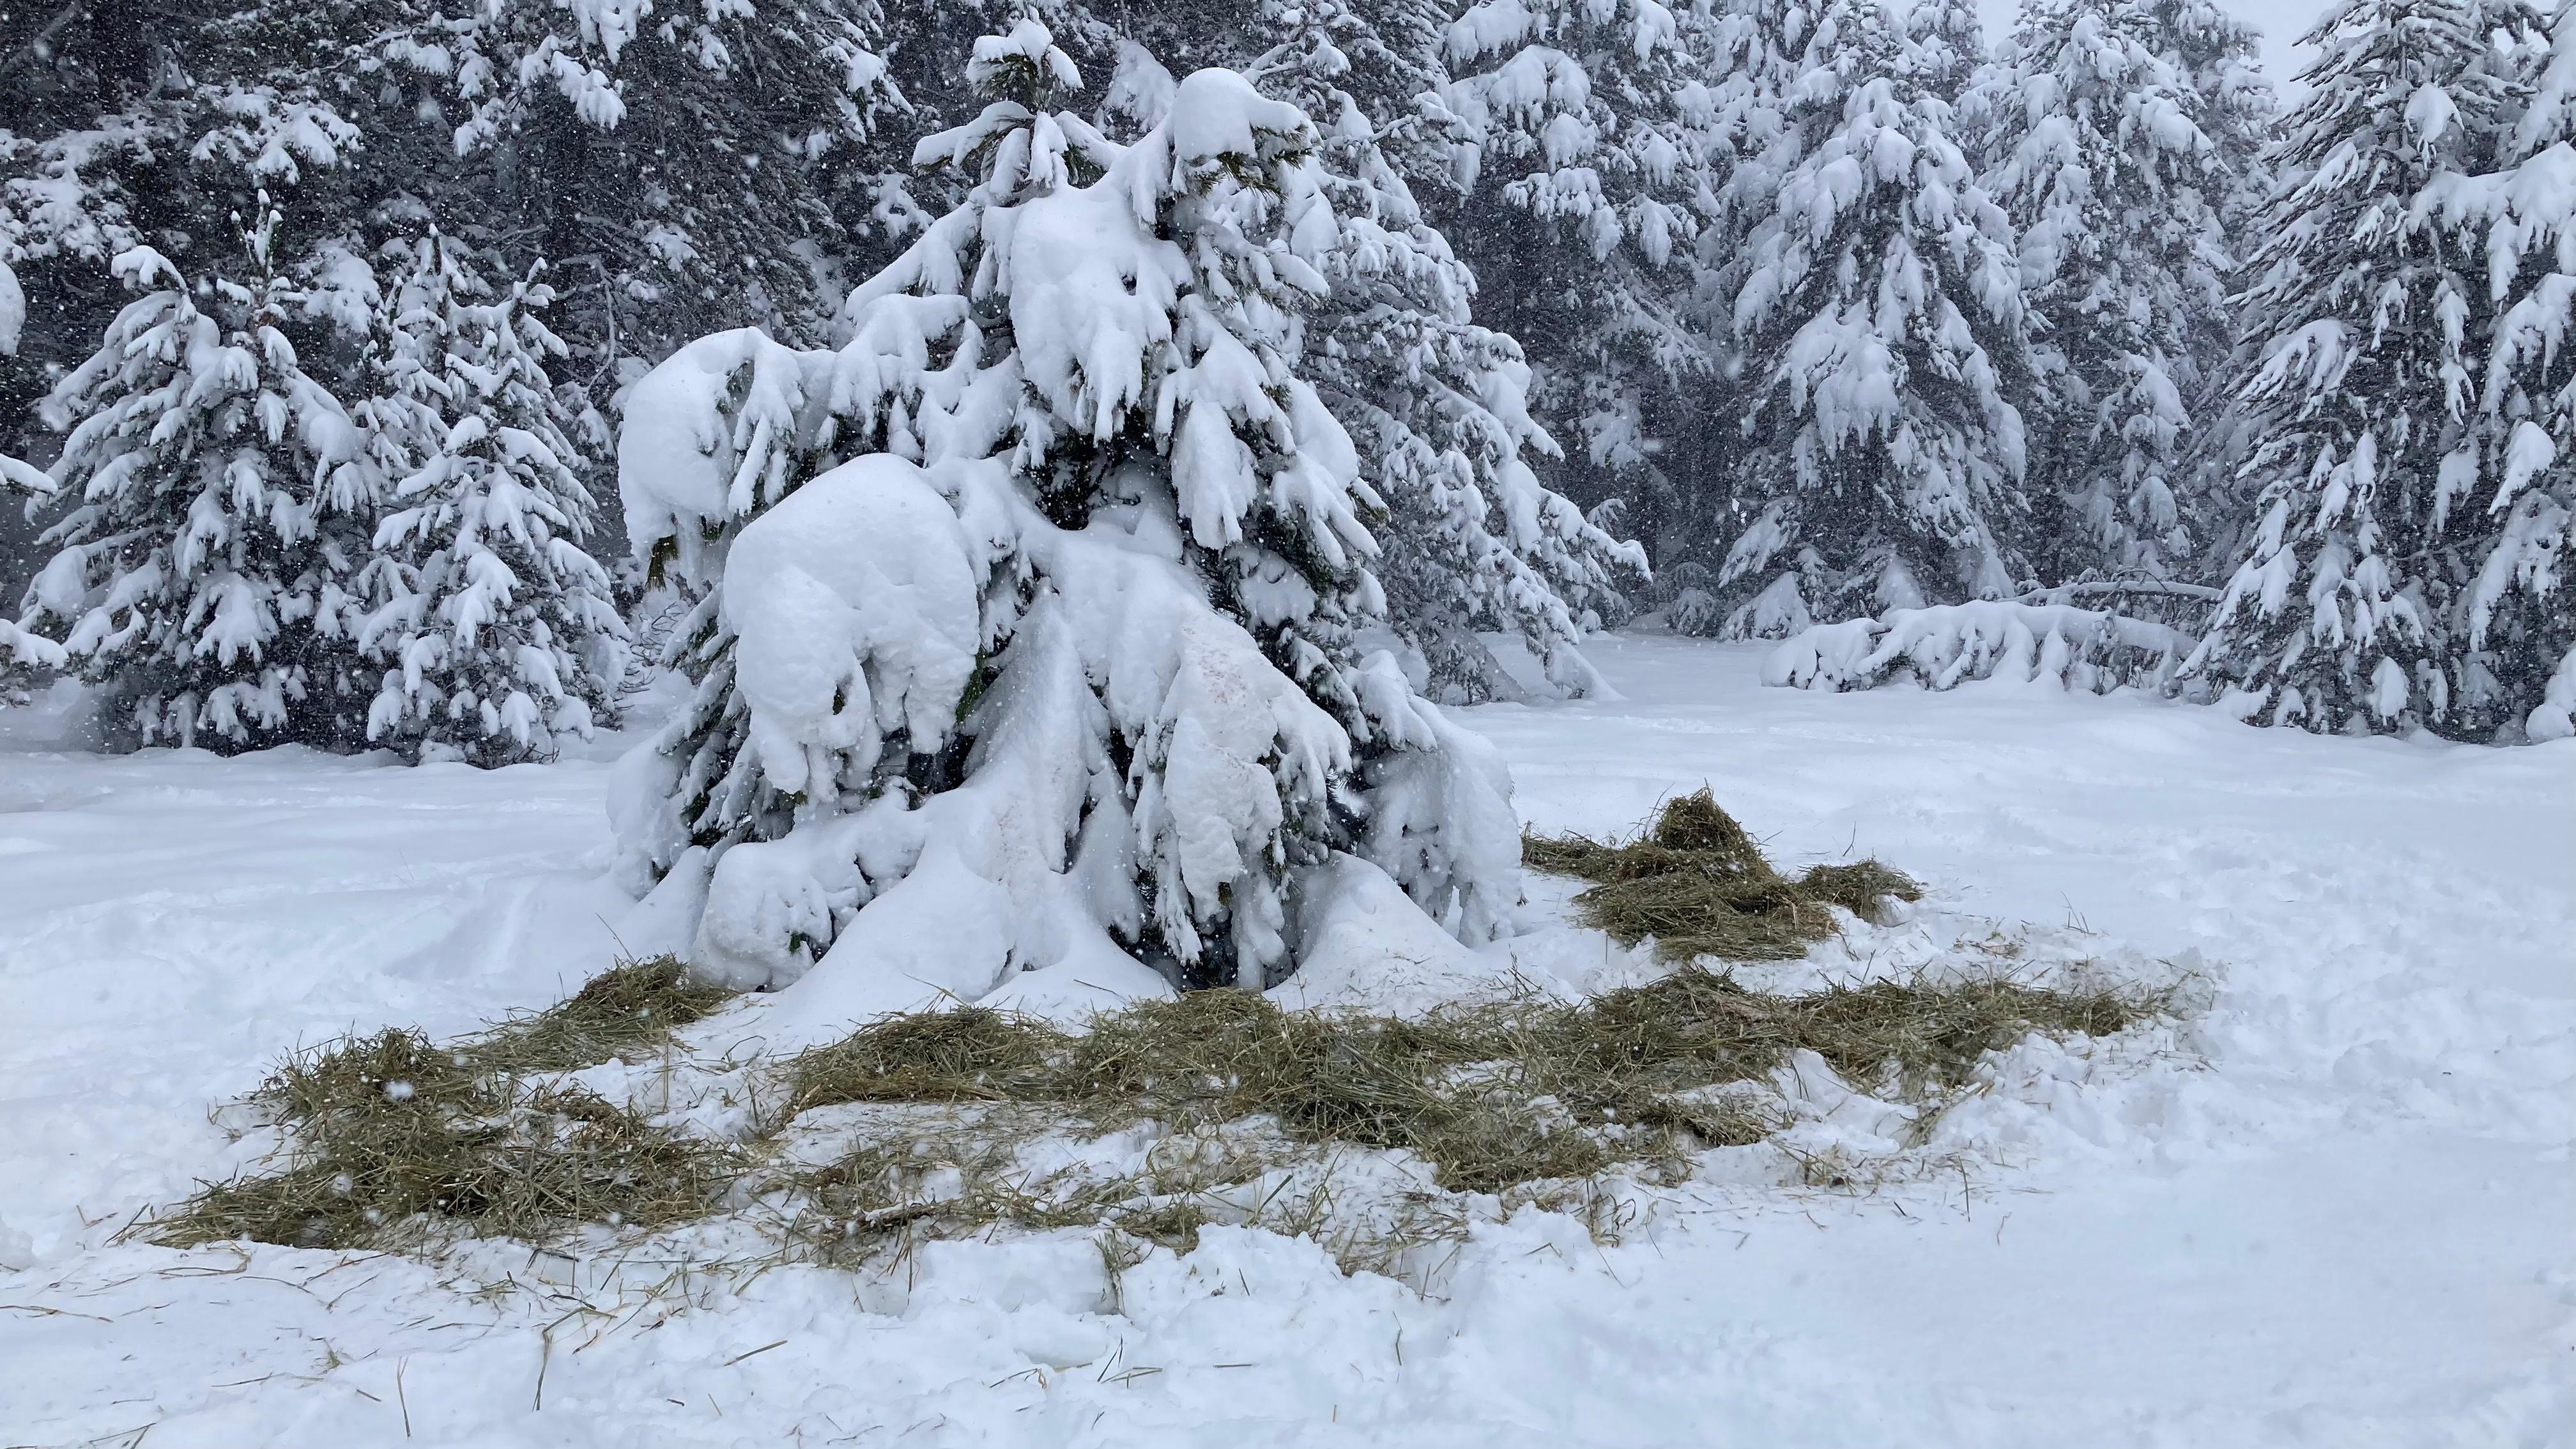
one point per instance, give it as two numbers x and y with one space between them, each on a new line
1699 886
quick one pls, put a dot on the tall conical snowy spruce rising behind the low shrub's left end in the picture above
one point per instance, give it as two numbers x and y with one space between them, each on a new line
1882 326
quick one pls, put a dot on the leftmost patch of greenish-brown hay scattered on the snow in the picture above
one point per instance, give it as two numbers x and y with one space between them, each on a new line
393 1138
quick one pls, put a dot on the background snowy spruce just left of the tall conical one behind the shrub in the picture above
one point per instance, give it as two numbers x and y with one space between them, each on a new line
1583 190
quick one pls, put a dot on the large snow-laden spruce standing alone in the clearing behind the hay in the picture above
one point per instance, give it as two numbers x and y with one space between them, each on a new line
1057 669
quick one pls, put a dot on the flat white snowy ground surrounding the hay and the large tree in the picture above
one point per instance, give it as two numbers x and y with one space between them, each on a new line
2340 1213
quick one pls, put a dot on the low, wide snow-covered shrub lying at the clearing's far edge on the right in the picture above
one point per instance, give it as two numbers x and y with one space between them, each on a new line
2057 643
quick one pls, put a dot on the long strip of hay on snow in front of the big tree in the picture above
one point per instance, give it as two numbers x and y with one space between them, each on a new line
1493 1097
